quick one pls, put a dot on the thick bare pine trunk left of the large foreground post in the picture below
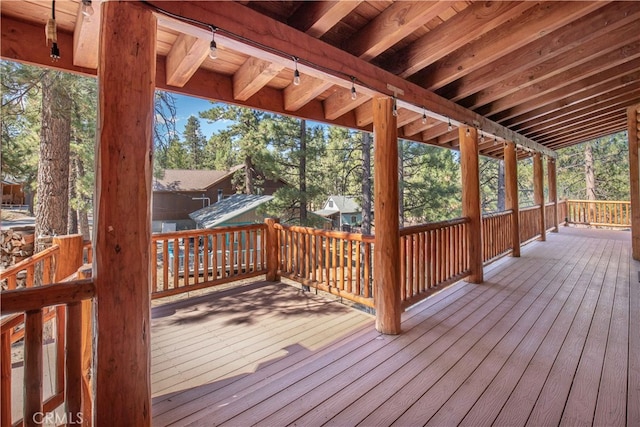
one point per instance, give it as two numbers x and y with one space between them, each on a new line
53 166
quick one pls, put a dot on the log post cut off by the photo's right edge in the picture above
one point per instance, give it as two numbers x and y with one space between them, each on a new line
633 127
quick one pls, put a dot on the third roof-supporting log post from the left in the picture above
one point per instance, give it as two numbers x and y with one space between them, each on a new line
471 207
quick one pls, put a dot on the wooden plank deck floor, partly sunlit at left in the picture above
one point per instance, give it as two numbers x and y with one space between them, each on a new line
549 338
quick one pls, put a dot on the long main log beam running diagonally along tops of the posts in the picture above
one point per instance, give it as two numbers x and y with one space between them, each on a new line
248 24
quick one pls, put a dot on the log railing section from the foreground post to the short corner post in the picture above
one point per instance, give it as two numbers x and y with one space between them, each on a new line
188 260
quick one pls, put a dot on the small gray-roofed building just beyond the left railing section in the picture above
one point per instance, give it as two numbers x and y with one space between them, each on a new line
239 209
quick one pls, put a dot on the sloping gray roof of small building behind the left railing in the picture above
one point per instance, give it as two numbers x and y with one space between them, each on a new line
227 209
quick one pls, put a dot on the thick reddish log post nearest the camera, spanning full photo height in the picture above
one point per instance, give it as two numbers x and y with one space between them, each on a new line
122 232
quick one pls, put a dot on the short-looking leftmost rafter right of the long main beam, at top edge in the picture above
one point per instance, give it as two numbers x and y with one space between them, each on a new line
317 17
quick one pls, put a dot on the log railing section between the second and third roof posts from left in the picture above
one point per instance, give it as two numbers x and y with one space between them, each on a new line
432 256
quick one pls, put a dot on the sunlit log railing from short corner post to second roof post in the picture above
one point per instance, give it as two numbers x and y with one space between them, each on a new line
332 261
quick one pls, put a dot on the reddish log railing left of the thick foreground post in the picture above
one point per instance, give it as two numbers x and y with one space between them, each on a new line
26 308
